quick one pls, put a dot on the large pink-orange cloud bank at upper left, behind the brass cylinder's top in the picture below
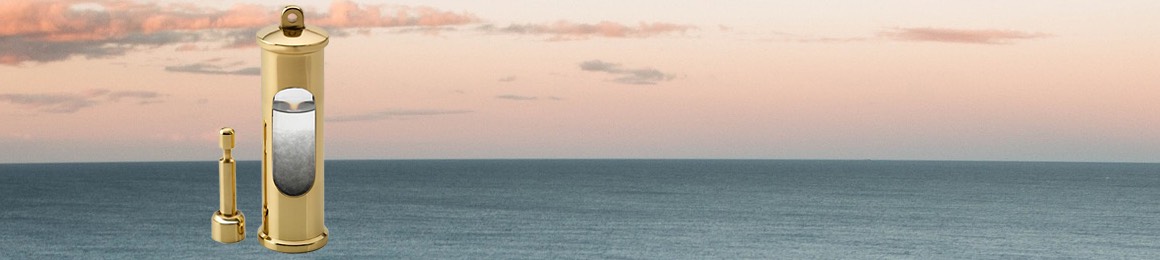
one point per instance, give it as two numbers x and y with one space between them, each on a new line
54 31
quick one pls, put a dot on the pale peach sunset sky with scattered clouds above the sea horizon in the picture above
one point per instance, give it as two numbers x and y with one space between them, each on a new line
1041 81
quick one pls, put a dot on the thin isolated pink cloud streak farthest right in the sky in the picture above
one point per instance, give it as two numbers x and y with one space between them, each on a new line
959 35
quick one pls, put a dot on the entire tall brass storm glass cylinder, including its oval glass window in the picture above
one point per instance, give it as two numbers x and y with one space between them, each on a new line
293 162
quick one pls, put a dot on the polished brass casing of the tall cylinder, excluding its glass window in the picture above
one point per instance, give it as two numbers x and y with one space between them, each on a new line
293 59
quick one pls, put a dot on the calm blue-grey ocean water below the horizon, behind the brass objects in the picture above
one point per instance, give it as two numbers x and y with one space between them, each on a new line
606 210
